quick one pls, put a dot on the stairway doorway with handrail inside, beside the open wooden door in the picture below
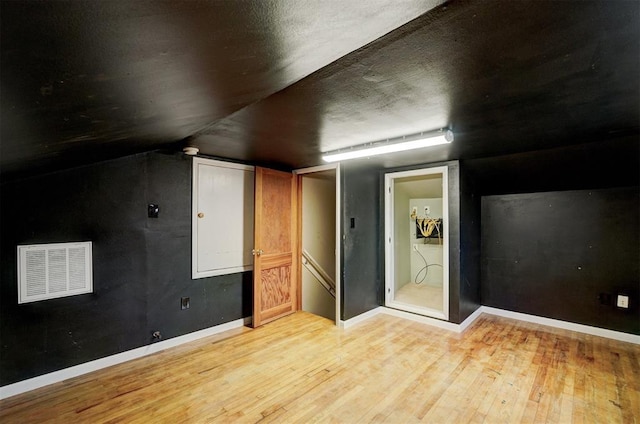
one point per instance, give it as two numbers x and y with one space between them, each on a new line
319 276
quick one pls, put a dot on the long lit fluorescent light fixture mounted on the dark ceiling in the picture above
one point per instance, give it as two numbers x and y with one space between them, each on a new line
417 141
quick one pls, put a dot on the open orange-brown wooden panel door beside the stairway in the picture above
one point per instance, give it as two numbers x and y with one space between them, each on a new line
275 247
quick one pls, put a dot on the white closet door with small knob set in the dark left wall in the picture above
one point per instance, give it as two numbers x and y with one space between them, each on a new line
222 218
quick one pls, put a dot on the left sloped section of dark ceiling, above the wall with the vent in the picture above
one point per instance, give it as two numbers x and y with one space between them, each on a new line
82 81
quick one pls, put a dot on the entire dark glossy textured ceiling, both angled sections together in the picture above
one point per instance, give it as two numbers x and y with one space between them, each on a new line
277 82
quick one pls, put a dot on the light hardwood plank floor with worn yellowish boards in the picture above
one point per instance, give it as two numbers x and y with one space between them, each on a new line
303 369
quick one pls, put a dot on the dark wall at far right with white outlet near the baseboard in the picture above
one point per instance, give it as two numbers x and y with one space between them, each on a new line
553 254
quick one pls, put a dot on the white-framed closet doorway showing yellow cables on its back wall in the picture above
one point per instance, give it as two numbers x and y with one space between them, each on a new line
417 240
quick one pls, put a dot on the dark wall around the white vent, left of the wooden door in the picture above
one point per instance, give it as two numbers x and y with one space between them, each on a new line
141 265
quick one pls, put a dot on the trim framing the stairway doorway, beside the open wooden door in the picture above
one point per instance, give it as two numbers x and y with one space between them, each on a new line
311 170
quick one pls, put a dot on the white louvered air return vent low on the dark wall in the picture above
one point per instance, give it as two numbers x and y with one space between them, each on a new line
47 271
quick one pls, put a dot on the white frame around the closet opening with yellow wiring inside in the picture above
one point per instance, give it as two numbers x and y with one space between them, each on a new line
389 241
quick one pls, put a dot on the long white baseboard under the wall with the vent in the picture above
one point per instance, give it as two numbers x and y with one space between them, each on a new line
77 370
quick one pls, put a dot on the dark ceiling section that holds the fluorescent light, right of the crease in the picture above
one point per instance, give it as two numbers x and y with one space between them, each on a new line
505 76
